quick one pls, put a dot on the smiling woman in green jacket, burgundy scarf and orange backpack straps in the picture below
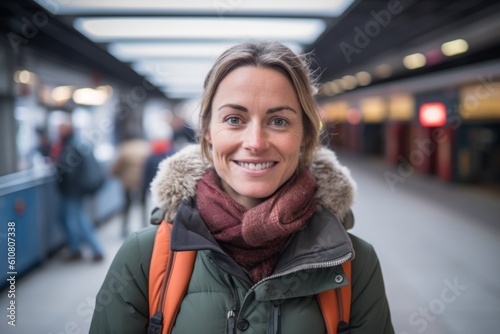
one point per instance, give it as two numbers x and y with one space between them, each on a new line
252 233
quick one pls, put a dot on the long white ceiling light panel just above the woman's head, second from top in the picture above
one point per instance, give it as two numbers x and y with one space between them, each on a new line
176 28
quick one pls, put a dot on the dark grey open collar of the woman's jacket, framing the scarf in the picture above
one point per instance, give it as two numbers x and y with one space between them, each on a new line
323 244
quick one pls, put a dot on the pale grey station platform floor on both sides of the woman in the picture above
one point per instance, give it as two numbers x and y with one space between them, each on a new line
438 245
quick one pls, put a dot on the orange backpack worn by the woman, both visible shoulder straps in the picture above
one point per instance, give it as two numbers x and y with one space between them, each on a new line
170 273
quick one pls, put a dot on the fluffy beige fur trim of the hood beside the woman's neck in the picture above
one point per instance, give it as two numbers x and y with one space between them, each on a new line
179 174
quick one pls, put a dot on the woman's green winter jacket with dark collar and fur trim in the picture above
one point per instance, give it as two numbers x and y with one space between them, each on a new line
220 296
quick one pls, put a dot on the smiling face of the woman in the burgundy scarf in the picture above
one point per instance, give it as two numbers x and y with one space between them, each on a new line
256 132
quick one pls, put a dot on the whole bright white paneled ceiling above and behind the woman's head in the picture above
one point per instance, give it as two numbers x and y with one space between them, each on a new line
164 42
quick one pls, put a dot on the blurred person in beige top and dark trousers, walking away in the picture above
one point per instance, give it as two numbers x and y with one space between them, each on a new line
129 168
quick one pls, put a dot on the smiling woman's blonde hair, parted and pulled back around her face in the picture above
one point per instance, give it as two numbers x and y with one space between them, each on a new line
268 55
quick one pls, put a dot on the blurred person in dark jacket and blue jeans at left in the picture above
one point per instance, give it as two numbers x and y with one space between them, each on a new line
72 158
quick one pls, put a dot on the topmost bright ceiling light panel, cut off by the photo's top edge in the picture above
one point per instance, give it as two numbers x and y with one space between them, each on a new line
322 8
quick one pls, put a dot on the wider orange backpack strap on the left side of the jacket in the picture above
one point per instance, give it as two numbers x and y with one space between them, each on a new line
169 276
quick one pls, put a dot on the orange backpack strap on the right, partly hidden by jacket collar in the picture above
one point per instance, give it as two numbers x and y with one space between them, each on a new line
335 305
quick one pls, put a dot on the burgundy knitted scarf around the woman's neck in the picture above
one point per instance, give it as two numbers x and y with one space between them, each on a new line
255 238
